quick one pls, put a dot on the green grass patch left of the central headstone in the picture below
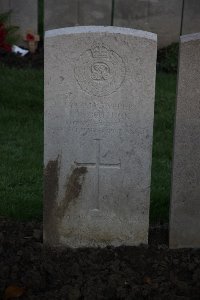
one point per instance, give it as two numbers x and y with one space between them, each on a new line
21 143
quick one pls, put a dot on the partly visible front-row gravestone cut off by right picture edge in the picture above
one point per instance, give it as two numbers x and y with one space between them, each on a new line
185 200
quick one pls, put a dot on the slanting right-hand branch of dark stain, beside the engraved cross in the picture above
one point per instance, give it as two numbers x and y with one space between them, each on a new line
73 189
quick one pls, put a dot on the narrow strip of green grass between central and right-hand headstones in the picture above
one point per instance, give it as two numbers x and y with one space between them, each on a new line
162 146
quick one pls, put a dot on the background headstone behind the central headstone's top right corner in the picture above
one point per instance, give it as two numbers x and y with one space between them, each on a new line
162 17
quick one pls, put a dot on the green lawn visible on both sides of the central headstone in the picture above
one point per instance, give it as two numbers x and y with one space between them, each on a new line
21 144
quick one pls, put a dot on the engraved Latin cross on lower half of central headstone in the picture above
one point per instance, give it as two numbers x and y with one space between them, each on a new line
98 165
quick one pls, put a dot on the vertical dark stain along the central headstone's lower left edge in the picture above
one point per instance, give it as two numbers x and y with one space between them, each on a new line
51 174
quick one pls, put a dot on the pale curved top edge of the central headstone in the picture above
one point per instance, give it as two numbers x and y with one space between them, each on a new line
101 29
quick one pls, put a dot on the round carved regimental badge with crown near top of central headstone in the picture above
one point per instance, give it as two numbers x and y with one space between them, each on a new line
100 71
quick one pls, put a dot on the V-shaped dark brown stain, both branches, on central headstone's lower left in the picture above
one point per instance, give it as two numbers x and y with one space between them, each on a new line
54 213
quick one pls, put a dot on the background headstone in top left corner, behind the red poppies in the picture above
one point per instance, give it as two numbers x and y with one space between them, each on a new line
24 15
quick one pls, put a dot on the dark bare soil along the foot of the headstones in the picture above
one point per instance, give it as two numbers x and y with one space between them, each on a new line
145 272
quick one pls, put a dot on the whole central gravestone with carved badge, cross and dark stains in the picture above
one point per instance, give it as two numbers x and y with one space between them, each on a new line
99 107
